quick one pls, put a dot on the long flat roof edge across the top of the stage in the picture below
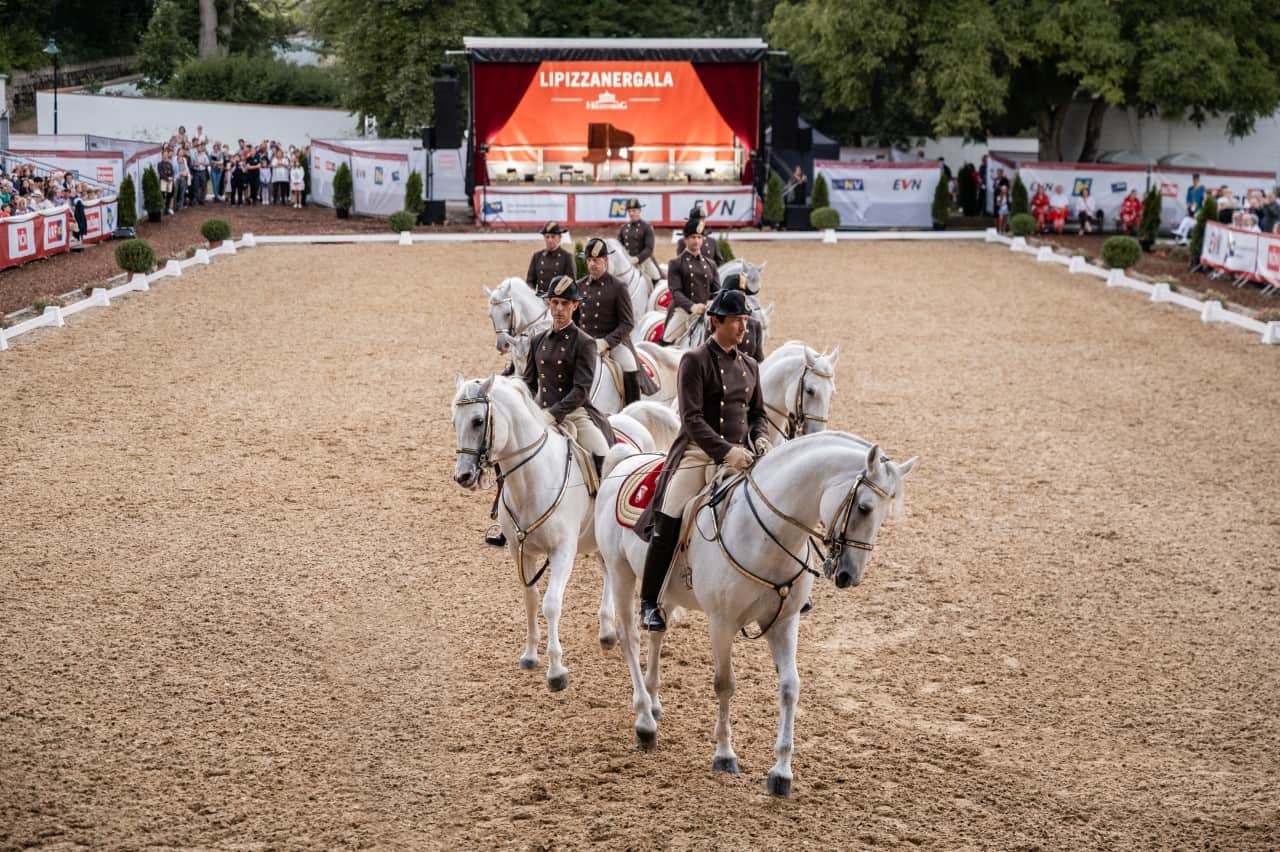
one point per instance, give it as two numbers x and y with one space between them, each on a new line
691 51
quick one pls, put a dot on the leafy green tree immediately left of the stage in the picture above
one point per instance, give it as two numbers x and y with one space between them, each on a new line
387 51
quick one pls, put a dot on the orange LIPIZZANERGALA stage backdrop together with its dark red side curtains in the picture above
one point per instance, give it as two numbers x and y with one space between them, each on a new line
689 107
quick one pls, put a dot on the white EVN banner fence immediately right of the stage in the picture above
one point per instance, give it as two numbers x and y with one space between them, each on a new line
881 195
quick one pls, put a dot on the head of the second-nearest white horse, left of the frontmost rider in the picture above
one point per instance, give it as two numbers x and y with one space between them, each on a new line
484 415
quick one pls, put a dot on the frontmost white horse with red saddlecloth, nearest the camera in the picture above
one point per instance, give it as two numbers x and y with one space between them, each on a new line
748 561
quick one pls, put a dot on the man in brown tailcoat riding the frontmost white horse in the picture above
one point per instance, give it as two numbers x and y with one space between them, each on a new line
723 424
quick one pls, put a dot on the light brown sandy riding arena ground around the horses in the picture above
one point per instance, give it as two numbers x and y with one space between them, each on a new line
243 604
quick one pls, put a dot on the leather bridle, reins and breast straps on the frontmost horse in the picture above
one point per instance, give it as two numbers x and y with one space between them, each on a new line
831 549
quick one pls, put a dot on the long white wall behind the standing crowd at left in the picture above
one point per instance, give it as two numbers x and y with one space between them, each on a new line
157 120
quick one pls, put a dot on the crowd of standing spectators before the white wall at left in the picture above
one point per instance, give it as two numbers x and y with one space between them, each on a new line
194 172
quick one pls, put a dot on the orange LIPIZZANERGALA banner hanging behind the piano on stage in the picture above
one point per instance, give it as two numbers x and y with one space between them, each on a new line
660 104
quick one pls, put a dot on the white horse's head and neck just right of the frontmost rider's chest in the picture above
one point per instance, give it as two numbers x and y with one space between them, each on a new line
798 384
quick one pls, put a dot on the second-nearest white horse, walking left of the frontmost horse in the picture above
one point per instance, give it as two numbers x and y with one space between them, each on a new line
545 507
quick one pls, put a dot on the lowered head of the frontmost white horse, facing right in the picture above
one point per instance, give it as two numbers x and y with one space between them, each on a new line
854 511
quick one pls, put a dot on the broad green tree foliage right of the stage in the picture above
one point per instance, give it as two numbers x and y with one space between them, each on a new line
971 68
